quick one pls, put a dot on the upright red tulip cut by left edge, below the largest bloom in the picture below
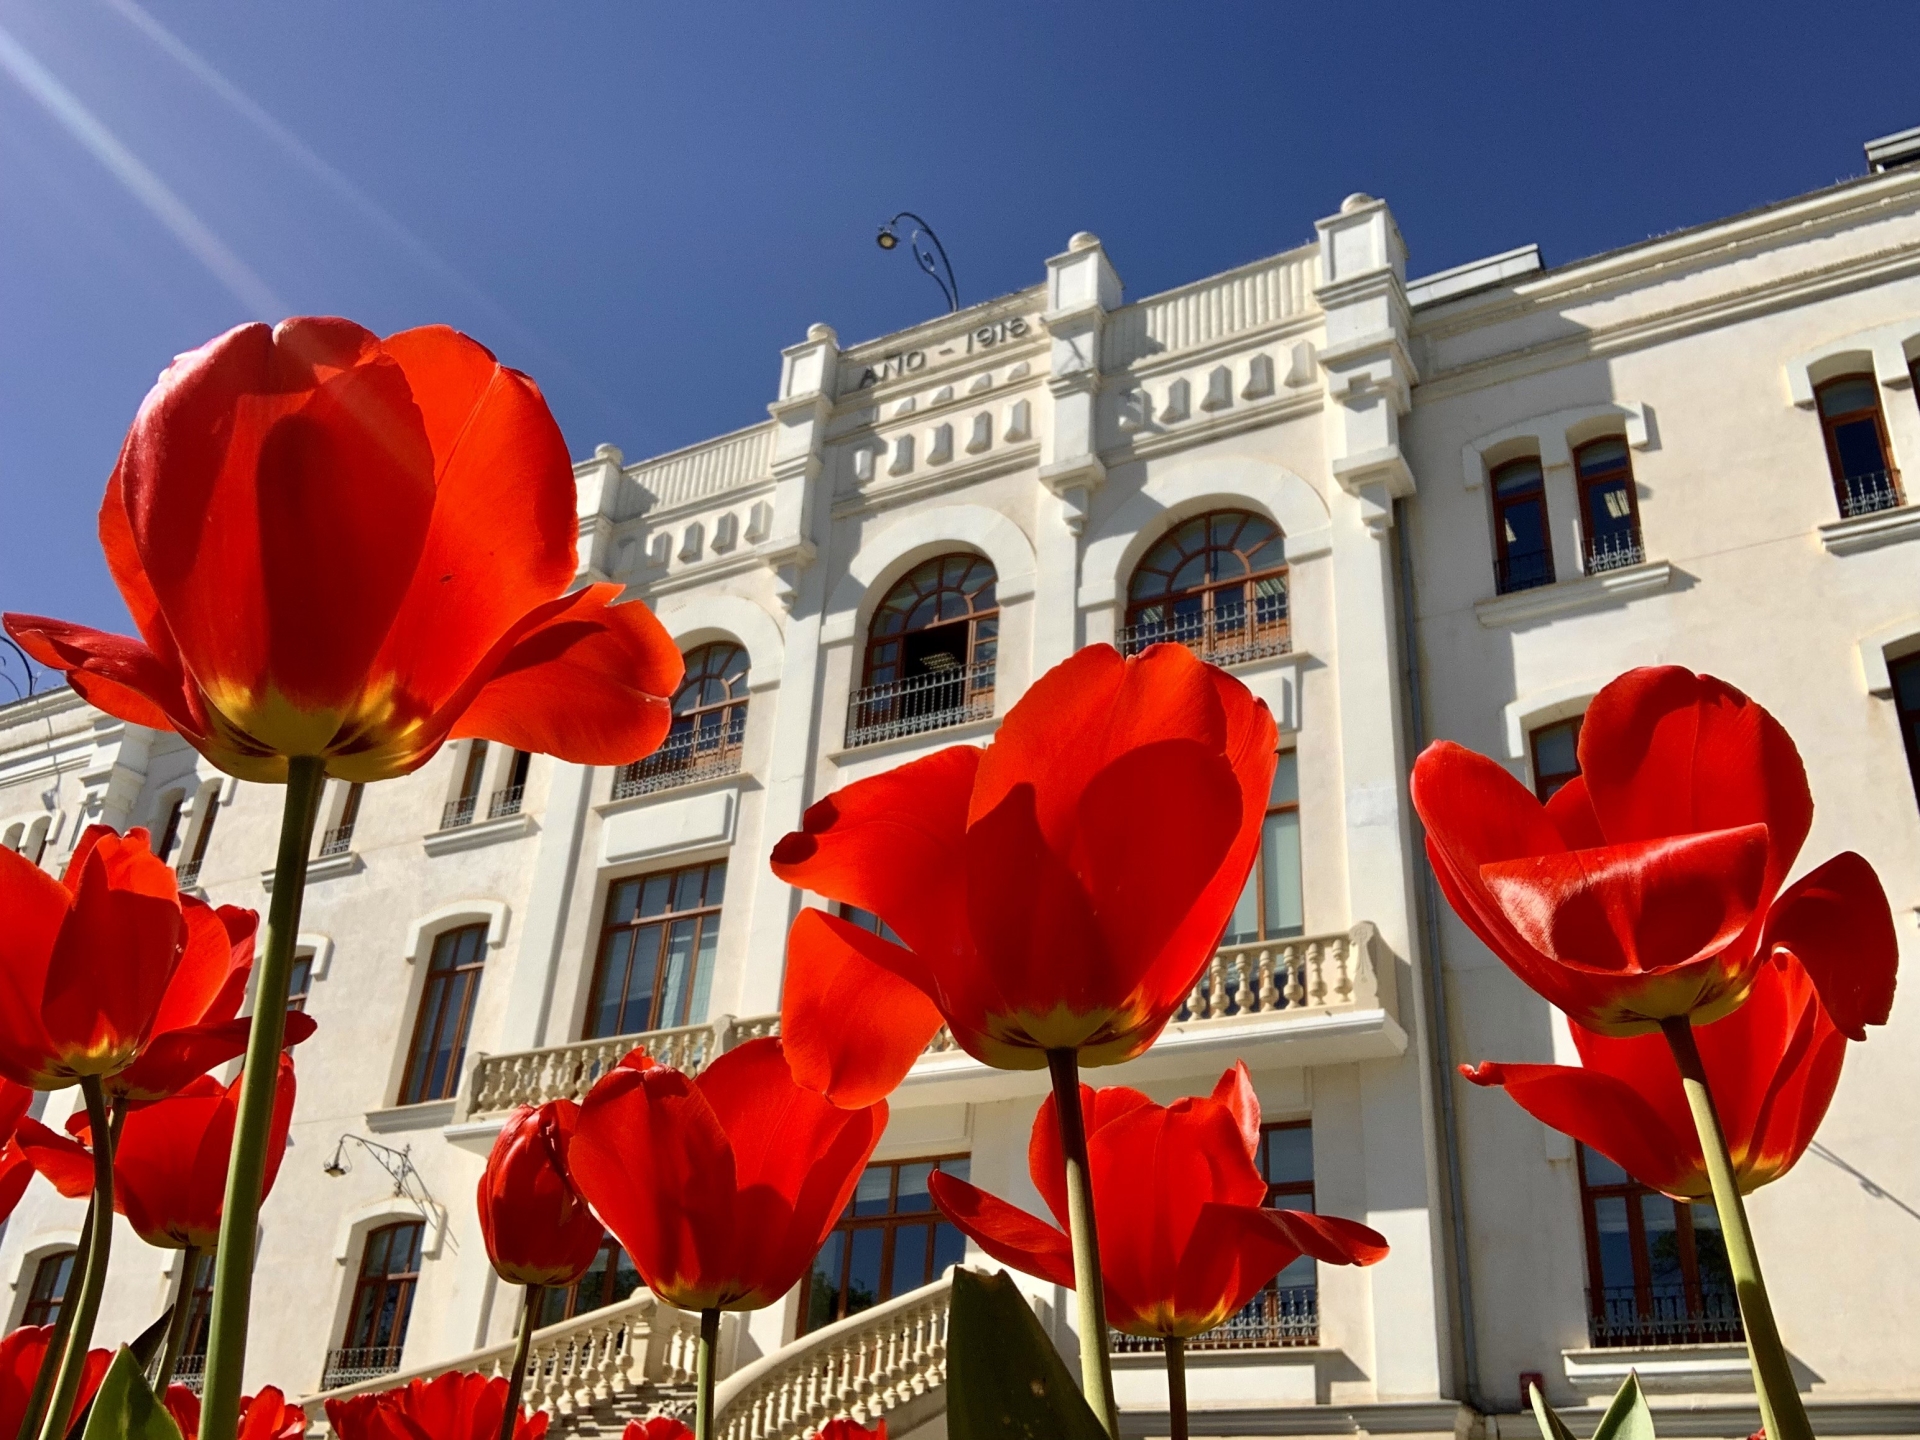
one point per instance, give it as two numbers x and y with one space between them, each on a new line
85 961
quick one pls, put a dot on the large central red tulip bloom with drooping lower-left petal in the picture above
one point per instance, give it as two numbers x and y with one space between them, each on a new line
1057 890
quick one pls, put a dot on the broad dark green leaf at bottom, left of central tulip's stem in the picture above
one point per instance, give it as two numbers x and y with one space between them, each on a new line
1005 1380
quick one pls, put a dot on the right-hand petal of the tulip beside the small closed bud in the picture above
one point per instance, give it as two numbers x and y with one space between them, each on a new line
798 1159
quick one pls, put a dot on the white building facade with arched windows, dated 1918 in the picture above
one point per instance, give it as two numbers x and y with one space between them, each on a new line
1397 512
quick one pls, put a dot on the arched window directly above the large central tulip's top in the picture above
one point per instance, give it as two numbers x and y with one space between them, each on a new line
1214 585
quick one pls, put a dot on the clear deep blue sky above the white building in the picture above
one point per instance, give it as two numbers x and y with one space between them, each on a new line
640 204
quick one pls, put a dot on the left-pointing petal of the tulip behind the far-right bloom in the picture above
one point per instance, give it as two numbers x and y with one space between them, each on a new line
1606 1115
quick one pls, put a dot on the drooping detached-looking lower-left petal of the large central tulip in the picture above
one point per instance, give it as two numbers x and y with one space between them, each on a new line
855 1013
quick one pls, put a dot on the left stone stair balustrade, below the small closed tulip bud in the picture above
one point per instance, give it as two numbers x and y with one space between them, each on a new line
577 1364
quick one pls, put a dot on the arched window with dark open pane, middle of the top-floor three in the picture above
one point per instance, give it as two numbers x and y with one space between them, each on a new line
930 652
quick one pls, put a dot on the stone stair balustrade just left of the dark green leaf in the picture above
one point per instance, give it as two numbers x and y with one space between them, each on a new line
863 1368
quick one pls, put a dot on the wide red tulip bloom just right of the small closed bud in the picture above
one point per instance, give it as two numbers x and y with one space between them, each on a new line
721 1188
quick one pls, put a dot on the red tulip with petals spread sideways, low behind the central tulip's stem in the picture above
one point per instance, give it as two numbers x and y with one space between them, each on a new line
1186 1237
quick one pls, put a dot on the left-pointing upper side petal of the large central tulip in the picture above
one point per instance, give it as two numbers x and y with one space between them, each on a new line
894 846
